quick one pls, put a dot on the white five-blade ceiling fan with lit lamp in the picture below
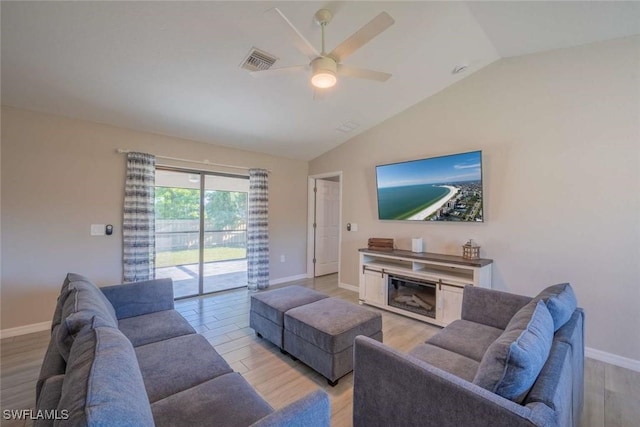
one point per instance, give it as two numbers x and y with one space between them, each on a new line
325 67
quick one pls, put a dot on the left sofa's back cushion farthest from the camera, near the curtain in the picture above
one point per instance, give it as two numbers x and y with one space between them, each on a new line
84 303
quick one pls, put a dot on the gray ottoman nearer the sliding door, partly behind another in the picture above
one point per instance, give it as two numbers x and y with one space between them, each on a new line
266 315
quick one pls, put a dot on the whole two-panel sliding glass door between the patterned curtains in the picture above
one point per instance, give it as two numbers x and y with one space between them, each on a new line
201 231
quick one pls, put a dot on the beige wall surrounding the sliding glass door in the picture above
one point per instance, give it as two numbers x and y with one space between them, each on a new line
61 175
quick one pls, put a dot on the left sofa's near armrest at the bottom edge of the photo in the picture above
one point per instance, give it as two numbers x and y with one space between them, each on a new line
313 410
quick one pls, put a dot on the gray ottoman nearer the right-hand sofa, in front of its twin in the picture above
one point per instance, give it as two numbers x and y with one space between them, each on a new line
321 334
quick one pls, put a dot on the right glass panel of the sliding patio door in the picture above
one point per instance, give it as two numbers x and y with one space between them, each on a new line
225 233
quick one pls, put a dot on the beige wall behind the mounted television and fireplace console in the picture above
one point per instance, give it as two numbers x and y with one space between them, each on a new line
560 135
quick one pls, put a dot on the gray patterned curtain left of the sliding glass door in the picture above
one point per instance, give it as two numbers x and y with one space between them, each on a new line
138 226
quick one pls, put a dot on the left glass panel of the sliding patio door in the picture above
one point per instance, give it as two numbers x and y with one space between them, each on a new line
178 230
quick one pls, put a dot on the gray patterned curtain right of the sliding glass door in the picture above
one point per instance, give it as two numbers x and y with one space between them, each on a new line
258 230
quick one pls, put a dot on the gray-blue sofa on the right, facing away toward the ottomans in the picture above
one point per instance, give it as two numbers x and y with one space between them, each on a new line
511 360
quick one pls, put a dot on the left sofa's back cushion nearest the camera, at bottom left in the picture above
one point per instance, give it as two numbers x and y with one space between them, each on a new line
103 384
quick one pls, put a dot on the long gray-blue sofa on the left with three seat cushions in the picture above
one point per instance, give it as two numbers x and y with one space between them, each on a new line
122 356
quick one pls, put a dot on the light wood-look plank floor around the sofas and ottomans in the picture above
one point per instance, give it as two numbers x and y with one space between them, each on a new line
611 393
